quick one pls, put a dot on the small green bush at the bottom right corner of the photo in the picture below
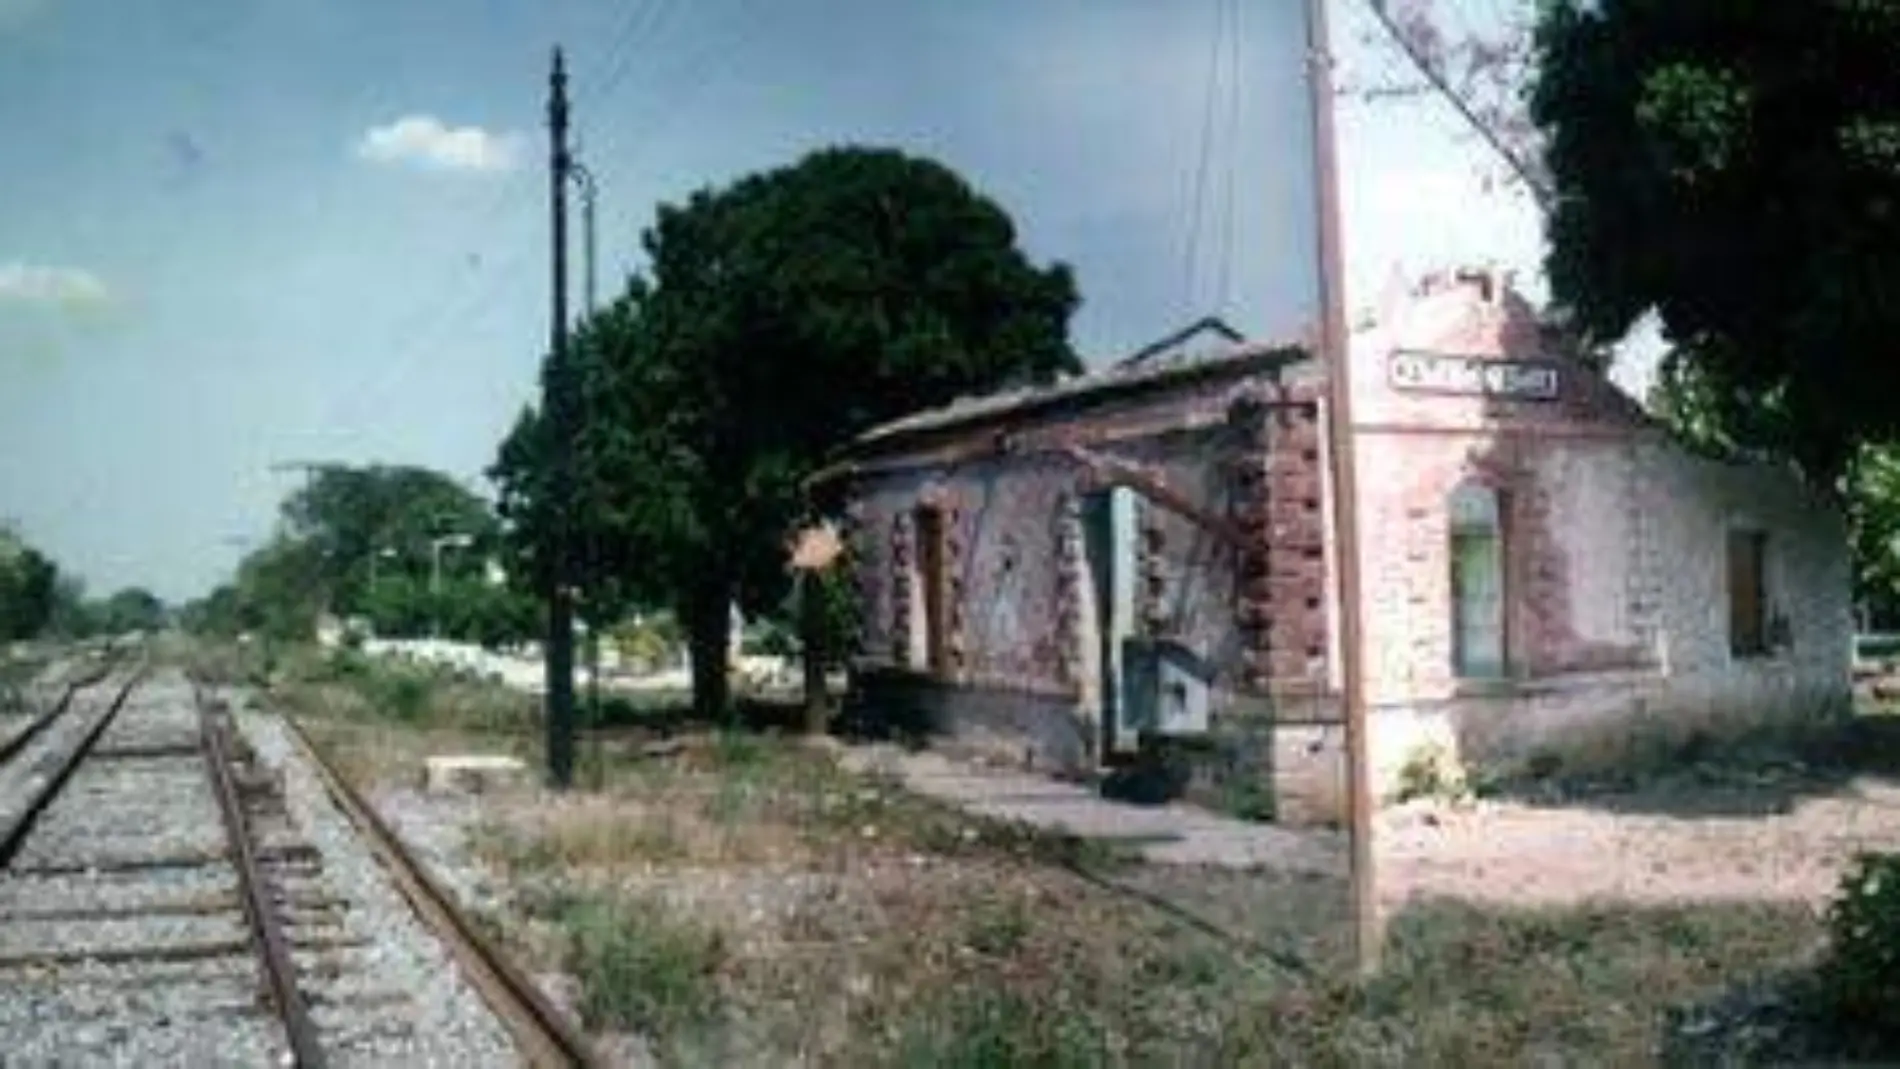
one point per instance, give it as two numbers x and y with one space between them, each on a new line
1861 977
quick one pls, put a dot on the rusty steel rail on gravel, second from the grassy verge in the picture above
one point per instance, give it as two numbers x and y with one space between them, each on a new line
275 950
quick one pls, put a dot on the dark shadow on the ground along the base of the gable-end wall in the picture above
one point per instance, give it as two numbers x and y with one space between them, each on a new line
1758 776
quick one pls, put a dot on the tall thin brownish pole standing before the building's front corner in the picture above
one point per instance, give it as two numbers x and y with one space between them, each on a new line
1369 933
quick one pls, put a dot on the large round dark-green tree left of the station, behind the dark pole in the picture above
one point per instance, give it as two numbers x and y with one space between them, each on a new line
780 316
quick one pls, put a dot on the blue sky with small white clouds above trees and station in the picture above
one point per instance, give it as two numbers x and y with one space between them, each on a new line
237 234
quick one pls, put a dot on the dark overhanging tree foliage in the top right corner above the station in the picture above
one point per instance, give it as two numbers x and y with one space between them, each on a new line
1738 170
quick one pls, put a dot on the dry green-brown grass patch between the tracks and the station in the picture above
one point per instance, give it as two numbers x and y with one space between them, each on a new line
744 901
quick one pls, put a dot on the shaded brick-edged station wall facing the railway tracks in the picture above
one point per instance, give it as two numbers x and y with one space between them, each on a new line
1027 620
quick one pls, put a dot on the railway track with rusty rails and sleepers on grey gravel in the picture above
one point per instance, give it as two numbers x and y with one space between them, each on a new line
176 888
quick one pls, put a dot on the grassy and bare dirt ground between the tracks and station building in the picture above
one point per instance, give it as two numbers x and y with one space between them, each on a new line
831 918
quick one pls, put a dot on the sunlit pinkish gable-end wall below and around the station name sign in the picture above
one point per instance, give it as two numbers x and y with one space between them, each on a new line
1616 576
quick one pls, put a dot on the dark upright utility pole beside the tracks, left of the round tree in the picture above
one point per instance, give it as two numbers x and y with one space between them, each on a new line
561 421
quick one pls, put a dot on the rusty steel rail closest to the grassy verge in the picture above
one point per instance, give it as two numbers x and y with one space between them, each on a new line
541 1030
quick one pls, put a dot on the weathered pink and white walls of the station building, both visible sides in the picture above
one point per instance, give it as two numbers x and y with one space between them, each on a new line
1616 571
